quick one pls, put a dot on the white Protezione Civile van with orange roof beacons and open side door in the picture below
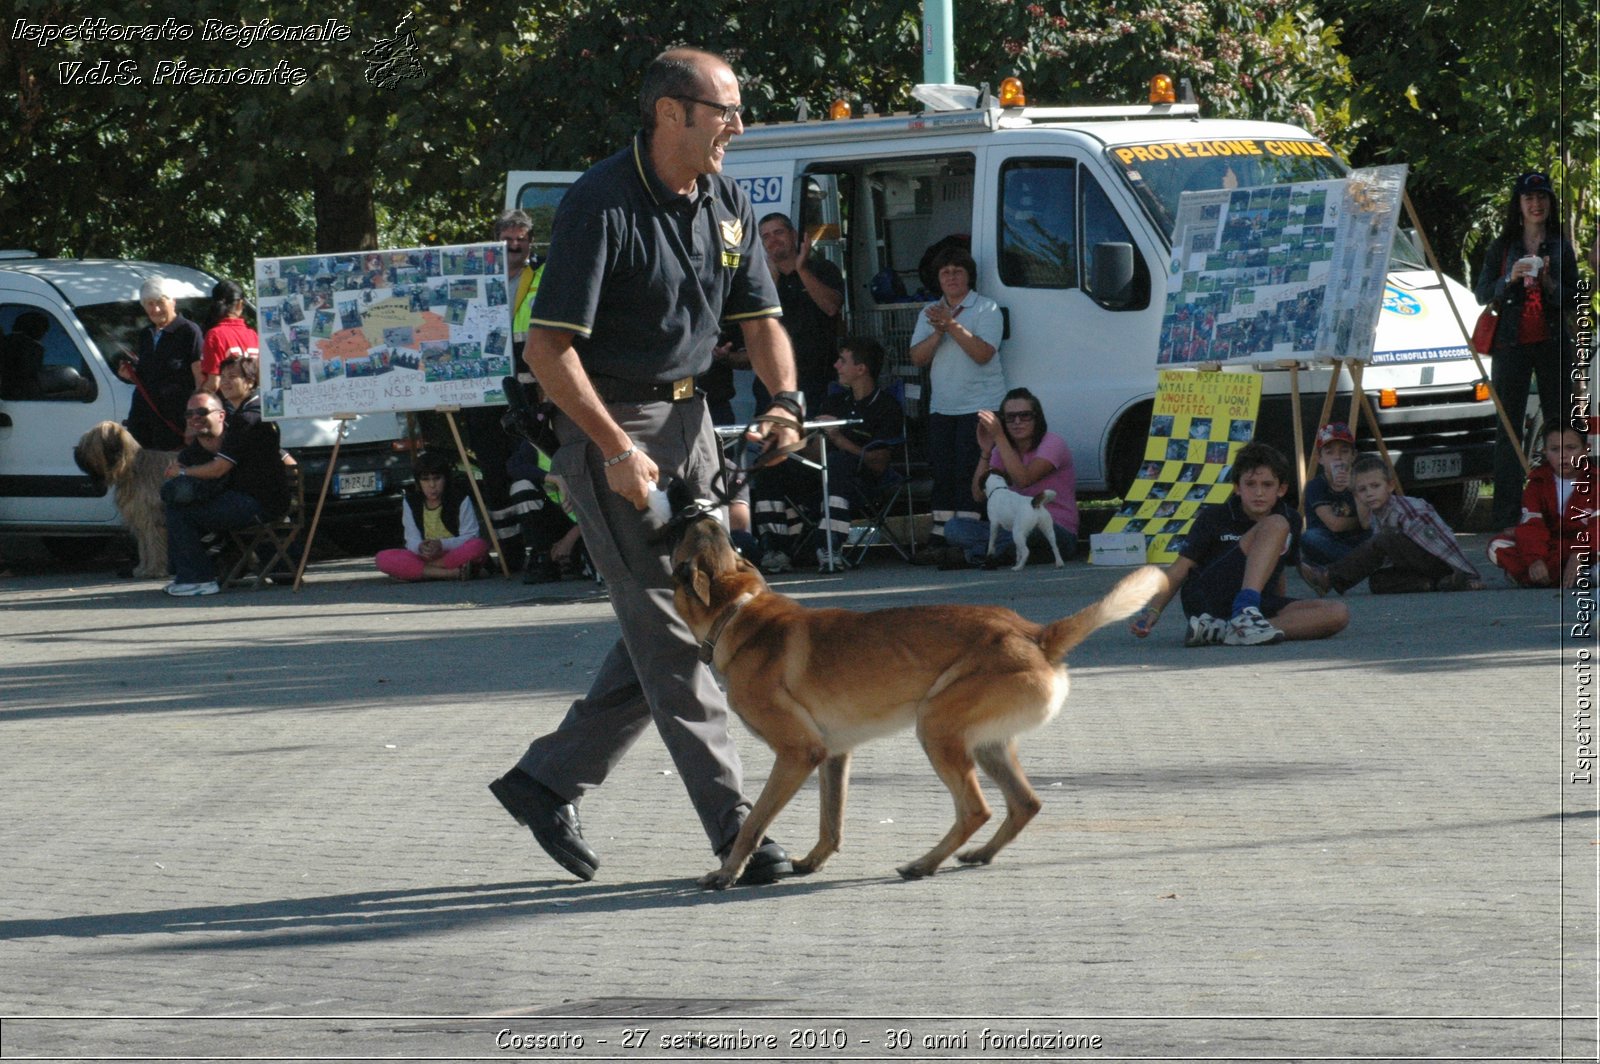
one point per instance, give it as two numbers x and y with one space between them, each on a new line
1070 215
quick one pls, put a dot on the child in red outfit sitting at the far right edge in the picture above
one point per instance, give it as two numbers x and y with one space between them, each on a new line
1559 519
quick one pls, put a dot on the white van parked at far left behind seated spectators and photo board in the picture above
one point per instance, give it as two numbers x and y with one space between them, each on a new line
92 313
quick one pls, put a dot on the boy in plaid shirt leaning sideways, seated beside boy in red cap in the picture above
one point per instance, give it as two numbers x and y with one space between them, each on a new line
1412 546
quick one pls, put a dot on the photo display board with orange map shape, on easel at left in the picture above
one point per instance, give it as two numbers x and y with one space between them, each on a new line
412 329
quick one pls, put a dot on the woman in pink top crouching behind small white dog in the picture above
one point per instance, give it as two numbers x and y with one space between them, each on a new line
1018 446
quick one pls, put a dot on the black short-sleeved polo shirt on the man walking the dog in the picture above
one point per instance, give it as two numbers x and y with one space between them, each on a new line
644 276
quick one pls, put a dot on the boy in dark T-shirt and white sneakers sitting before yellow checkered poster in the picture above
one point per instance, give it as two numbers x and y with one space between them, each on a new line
1231 567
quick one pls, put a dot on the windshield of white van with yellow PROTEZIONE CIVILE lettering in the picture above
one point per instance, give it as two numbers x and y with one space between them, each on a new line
1161 172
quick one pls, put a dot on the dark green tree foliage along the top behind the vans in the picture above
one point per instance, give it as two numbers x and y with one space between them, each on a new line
214 175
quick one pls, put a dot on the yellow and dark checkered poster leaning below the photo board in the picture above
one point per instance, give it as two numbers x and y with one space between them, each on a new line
1198 426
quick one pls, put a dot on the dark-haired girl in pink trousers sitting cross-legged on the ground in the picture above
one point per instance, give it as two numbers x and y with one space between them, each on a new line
441 527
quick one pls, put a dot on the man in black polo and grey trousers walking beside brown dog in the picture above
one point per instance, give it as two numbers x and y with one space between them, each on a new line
652 250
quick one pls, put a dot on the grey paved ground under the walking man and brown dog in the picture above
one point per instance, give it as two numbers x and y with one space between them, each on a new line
257 826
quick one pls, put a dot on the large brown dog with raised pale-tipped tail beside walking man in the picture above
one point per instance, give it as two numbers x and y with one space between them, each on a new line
814 684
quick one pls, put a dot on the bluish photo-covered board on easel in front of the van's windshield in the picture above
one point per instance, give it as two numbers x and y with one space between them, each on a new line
1290 273
